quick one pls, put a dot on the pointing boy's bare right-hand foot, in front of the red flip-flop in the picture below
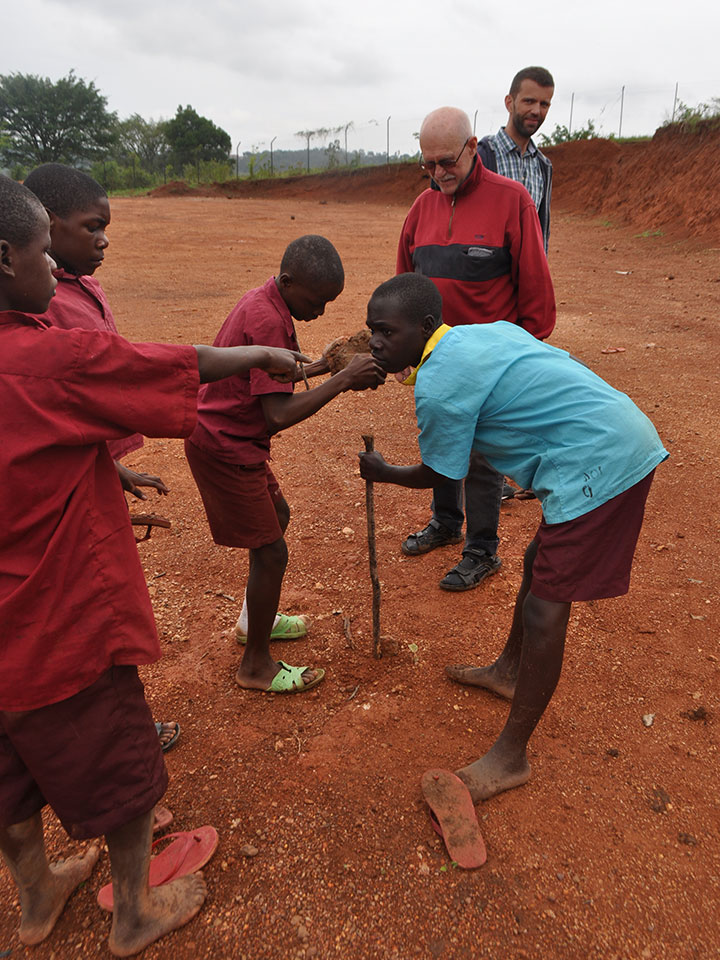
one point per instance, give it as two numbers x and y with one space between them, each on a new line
167 908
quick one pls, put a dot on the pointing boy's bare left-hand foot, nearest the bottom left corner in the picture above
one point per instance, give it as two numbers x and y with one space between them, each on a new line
40 909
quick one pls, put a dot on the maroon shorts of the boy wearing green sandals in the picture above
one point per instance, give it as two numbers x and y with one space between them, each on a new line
240 501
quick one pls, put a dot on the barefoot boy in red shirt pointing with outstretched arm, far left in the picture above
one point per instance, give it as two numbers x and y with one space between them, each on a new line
75 731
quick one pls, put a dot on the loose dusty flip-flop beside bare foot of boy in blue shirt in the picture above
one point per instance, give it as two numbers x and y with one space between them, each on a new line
454 817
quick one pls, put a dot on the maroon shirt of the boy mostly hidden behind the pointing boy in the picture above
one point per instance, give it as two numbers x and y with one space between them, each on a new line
80 303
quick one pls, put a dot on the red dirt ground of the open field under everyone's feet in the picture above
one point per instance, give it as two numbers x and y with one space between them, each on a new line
611 851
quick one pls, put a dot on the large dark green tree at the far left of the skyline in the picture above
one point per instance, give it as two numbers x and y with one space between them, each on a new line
62 122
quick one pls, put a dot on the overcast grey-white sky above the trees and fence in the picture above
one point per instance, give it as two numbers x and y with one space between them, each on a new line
270 68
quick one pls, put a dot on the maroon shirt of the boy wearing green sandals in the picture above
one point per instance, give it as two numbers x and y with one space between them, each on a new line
231 424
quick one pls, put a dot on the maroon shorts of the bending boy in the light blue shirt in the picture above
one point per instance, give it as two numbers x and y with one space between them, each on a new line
590 558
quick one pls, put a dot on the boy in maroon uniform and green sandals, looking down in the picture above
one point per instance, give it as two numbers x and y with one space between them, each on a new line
229 451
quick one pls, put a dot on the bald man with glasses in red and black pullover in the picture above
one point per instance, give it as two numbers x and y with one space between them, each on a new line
477 237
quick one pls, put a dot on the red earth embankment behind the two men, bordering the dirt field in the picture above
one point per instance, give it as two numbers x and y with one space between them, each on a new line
669 184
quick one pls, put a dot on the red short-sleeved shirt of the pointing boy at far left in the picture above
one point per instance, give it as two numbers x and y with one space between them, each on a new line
73 599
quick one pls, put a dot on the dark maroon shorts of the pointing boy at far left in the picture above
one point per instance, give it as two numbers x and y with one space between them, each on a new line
95 758
